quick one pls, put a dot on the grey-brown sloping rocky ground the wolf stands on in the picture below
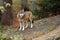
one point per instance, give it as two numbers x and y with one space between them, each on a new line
41 27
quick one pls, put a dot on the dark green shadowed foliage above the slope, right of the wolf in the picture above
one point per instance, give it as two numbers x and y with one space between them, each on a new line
46 7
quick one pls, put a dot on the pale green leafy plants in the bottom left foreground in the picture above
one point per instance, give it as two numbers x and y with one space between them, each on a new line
6 37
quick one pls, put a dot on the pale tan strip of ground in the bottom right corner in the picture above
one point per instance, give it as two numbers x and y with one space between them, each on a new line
53 35
